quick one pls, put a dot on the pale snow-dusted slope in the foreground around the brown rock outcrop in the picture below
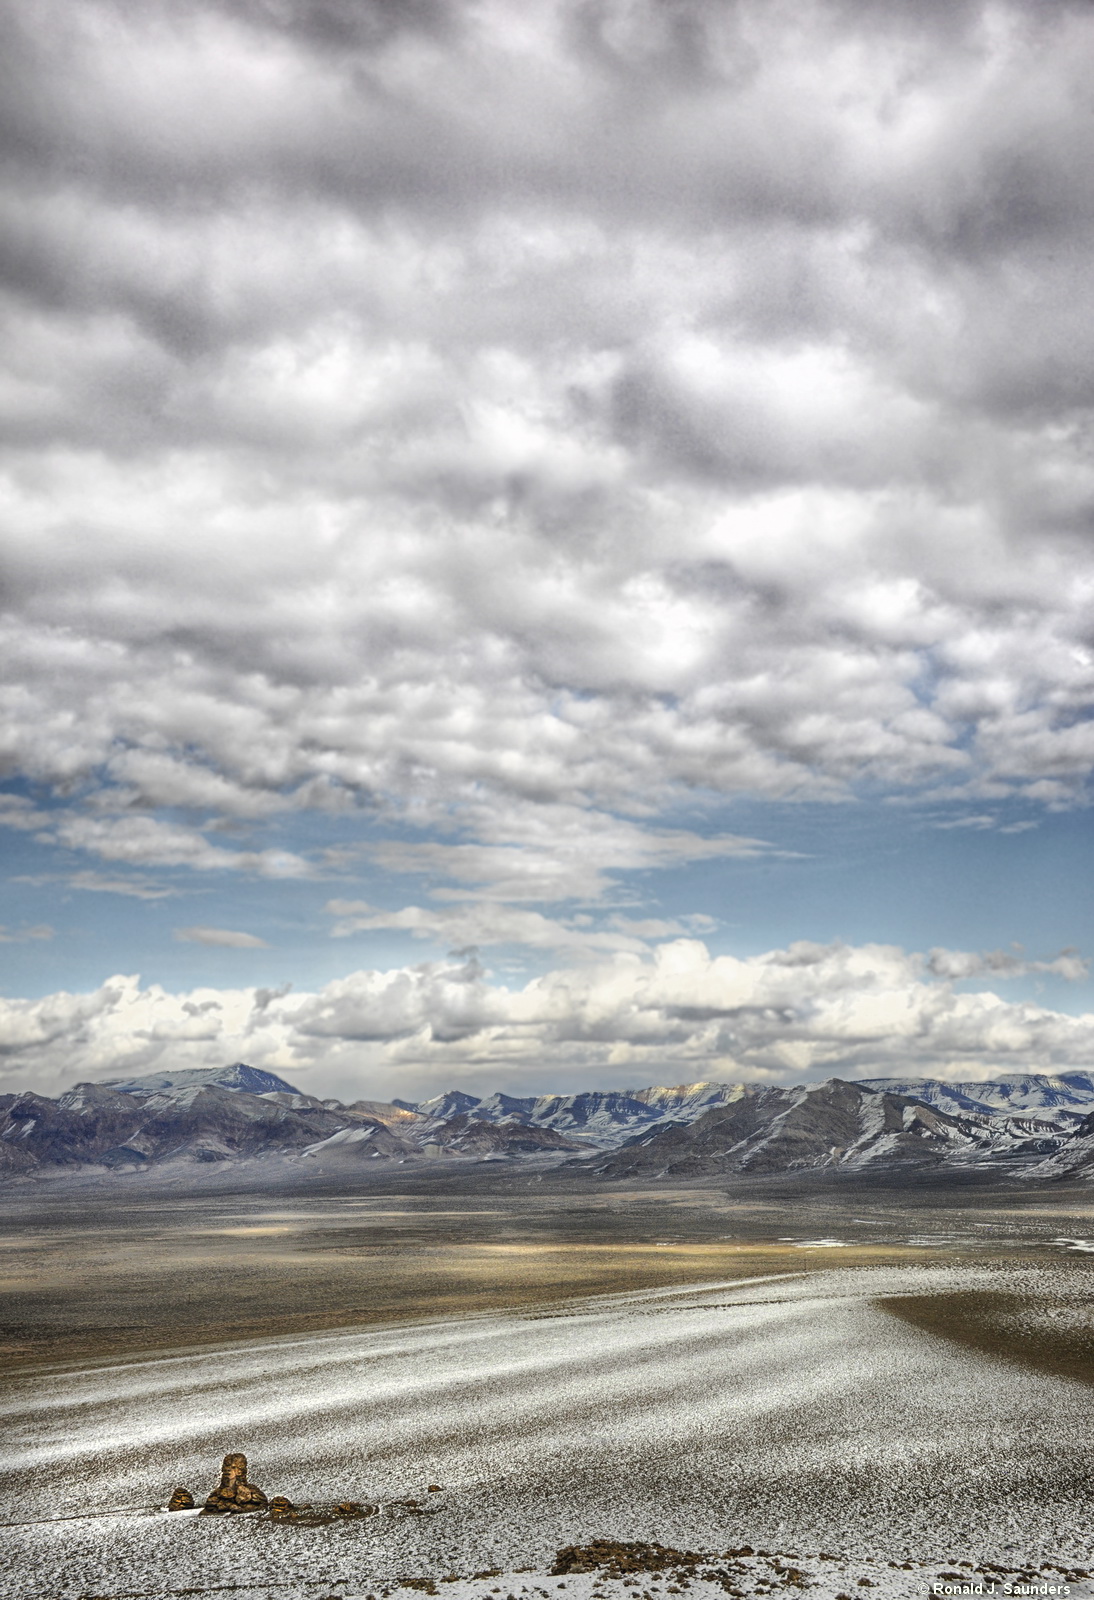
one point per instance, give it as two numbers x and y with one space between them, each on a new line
786 1414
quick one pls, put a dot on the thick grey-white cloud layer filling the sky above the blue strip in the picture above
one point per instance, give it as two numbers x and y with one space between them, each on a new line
578 409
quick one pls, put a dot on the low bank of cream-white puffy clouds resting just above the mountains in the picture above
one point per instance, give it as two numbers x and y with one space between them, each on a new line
665 1015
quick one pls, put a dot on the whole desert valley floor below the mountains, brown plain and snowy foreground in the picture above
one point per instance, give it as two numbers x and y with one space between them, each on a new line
818 1390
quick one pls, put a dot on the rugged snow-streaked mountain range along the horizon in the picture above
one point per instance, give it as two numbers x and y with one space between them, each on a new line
1031 1126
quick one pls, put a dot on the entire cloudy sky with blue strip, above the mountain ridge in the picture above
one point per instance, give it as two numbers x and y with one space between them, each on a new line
546 545
